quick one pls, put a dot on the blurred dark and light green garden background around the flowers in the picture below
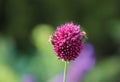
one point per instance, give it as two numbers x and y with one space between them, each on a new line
25 26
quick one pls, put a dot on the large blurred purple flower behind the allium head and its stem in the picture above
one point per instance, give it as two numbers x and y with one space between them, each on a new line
79 68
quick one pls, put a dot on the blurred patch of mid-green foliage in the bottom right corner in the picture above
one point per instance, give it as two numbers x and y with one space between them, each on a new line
105 71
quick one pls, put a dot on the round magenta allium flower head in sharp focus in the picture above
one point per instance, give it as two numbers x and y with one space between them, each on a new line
68 41
